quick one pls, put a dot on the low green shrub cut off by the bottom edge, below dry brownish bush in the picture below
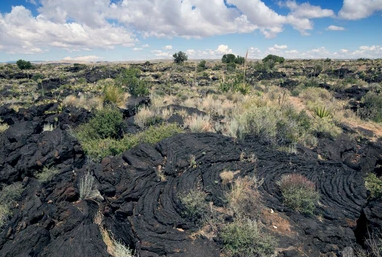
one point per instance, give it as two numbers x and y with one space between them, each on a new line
245 238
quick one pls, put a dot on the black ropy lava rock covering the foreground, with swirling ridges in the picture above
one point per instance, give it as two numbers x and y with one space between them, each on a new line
145 213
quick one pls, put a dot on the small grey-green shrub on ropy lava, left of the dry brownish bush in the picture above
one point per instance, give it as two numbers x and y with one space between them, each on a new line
195 205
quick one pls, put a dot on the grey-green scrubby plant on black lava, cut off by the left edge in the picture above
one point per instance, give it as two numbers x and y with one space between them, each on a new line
8 196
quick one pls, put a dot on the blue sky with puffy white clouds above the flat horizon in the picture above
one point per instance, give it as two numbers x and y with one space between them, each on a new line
124 30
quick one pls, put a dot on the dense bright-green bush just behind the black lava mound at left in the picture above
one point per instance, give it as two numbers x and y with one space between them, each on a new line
106 123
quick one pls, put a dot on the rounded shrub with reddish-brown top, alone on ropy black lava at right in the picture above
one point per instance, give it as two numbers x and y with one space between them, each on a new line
299 193
